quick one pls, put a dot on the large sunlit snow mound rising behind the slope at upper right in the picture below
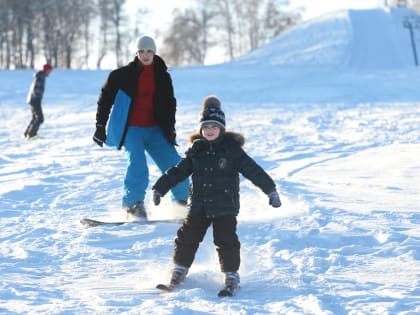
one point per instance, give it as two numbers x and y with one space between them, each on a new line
361 39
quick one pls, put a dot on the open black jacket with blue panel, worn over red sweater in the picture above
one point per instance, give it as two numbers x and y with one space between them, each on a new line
118 93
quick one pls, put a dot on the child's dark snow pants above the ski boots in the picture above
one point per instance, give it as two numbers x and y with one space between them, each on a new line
192 232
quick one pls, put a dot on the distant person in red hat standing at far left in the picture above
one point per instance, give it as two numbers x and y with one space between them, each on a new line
34 99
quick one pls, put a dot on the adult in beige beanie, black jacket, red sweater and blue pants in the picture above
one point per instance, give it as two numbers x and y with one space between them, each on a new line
142 120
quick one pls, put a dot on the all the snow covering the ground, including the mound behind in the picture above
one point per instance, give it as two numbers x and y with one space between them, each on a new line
332 114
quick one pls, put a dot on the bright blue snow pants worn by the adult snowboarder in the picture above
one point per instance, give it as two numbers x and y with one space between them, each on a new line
138 141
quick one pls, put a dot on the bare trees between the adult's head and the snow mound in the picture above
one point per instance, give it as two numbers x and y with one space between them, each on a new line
233 27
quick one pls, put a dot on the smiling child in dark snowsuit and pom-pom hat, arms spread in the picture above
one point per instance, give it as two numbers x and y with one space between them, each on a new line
214 161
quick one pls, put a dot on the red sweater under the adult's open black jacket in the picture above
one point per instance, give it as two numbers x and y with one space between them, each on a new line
142 111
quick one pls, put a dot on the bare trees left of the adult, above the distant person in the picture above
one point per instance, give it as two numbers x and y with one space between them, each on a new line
60 32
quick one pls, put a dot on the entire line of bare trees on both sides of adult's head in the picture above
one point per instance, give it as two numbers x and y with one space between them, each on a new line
70 33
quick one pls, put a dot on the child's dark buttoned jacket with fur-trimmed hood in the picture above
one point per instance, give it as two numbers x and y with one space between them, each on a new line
215 167
